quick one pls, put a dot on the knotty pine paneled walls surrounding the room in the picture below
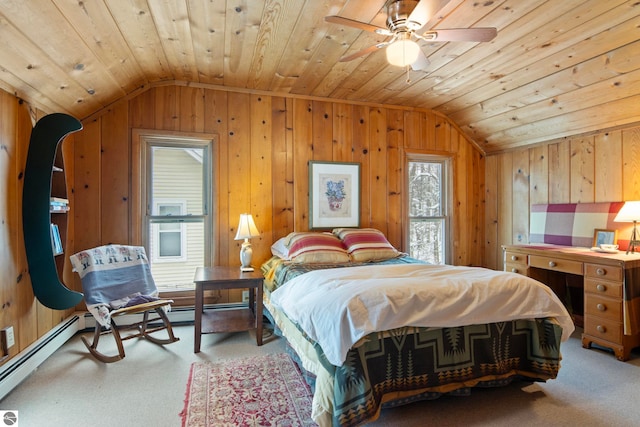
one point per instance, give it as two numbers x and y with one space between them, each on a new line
264 144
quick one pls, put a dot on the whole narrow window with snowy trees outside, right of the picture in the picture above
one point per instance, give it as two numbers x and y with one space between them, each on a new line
428 221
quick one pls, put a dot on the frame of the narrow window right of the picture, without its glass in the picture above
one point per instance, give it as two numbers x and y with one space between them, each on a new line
447 190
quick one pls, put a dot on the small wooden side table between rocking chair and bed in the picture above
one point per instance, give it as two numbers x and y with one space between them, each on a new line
233 319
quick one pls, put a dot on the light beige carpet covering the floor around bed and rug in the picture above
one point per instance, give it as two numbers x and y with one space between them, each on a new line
147 388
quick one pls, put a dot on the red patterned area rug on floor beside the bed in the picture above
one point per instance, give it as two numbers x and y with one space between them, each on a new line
257 391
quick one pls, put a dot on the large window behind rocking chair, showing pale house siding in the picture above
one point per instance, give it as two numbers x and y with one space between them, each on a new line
175 222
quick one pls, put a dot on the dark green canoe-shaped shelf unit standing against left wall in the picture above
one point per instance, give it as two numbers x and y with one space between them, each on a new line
44 177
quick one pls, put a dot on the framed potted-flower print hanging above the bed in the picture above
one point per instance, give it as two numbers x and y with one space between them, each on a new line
334 194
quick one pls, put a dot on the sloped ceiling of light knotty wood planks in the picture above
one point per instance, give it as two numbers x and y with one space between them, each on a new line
557 68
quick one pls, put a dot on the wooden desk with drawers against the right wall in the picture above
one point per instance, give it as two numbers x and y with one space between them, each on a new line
610 288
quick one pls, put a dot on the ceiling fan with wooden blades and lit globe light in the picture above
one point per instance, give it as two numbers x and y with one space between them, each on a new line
406 20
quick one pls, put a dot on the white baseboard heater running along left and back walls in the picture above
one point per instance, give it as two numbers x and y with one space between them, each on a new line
18 368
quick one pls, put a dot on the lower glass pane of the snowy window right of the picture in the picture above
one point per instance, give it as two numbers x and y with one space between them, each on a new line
427 240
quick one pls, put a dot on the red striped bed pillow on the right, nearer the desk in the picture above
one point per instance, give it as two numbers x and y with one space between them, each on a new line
366 244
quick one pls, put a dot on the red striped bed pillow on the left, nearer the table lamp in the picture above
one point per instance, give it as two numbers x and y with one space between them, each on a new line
316 248
